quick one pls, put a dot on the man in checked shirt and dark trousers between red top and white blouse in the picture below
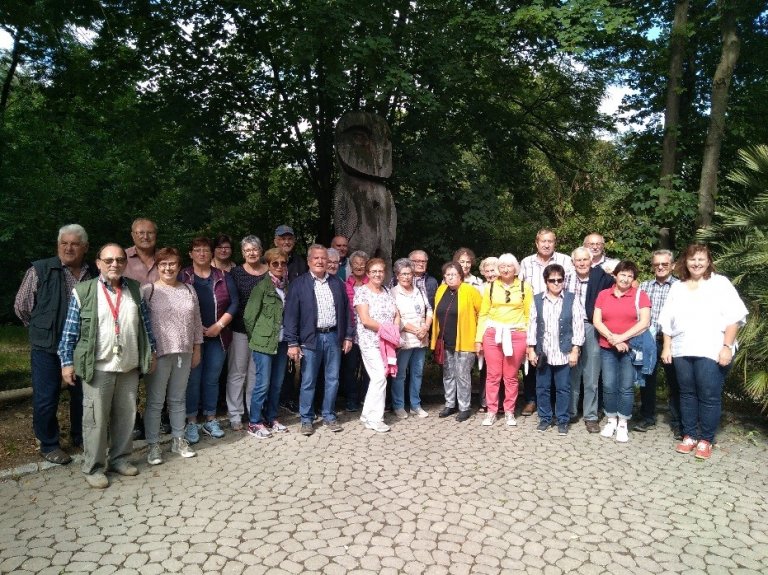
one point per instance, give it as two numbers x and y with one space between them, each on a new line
658 290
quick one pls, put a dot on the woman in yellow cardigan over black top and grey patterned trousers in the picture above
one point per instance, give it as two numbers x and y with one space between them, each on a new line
456 309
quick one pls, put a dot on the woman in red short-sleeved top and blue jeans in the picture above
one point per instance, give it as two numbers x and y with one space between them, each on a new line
621 313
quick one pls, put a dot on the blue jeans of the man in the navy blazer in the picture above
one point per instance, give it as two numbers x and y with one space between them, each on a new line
328 353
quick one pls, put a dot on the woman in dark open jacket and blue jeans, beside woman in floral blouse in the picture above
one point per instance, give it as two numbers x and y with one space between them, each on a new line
217 296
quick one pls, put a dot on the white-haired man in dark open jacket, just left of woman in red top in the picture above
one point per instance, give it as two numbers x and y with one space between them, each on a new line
587 282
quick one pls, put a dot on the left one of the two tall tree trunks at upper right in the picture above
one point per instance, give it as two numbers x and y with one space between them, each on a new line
677 48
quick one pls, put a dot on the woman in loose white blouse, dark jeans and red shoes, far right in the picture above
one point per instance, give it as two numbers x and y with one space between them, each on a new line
700 319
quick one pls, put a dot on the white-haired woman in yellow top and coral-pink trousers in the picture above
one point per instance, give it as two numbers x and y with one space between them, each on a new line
501 336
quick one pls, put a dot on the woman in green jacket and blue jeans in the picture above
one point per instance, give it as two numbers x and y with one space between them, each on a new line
264 325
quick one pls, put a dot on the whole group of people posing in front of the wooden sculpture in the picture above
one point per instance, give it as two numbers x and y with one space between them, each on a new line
578 328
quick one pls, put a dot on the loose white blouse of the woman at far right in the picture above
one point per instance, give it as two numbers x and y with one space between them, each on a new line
696 319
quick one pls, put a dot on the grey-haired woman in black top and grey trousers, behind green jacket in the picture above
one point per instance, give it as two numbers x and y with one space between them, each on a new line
240 368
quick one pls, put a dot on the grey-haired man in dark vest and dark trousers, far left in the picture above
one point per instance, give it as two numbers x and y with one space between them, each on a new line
41 305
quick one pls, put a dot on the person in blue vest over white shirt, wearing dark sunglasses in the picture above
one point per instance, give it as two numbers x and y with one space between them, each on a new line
555 336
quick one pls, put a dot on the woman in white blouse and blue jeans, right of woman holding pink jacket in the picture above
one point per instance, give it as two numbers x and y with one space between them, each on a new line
415 321
